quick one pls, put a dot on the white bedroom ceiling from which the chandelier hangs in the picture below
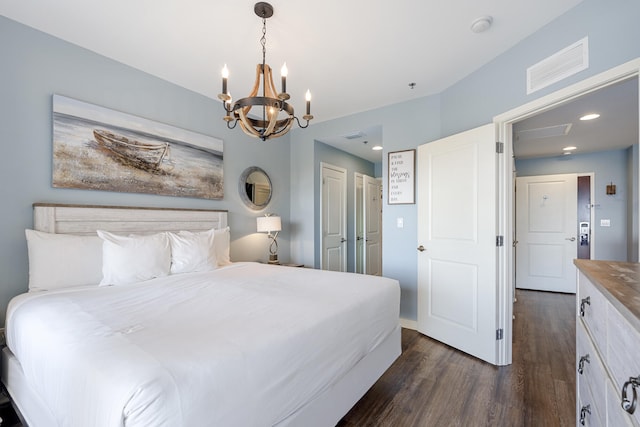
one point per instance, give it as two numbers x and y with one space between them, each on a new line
353 55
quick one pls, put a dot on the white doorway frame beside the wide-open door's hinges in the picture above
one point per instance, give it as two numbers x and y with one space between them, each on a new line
504 123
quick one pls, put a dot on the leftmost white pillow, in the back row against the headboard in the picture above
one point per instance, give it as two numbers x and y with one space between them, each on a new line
62 260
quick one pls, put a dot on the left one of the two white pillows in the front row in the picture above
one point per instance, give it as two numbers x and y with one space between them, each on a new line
134 258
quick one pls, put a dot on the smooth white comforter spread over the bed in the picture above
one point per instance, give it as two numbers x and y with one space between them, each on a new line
245 345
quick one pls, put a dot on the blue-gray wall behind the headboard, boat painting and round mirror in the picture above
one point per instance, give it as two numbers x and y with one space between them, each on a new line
35 66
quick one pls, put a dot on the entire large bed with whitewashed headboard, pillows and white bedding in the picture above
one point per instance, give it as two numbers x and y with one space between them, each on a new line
212 343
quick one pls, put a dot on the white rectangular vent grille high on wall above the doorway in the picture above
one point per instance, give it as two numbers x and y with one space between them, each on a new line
558 66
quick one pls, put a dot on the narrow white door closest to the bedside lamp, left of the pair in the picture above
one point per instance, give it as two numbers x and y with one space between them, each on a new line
334 218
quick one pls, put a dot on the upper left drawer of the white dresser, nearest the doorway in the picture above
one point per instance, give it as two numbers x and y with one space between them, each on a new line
595 311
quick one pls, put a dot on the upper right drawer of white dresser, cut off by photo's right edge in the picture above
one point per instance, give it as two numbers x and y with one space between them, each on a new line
623 354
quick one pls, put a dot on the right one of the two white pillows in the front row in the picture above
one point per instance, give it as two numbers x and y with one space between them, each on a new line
192 252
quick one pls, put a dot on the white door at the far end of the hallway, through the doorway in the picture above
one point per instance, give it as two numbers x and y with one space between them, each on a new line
546 224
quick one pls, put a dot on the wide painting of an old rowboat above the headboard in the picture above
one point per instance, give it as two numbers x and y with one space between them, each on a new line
101 149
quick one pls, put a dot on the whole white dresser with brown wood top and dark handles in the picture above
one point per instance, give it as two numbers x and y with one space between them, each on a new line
608 343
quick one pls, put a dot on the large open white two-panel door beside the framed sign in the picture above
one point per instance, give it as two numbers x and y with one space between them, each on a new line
457 282
